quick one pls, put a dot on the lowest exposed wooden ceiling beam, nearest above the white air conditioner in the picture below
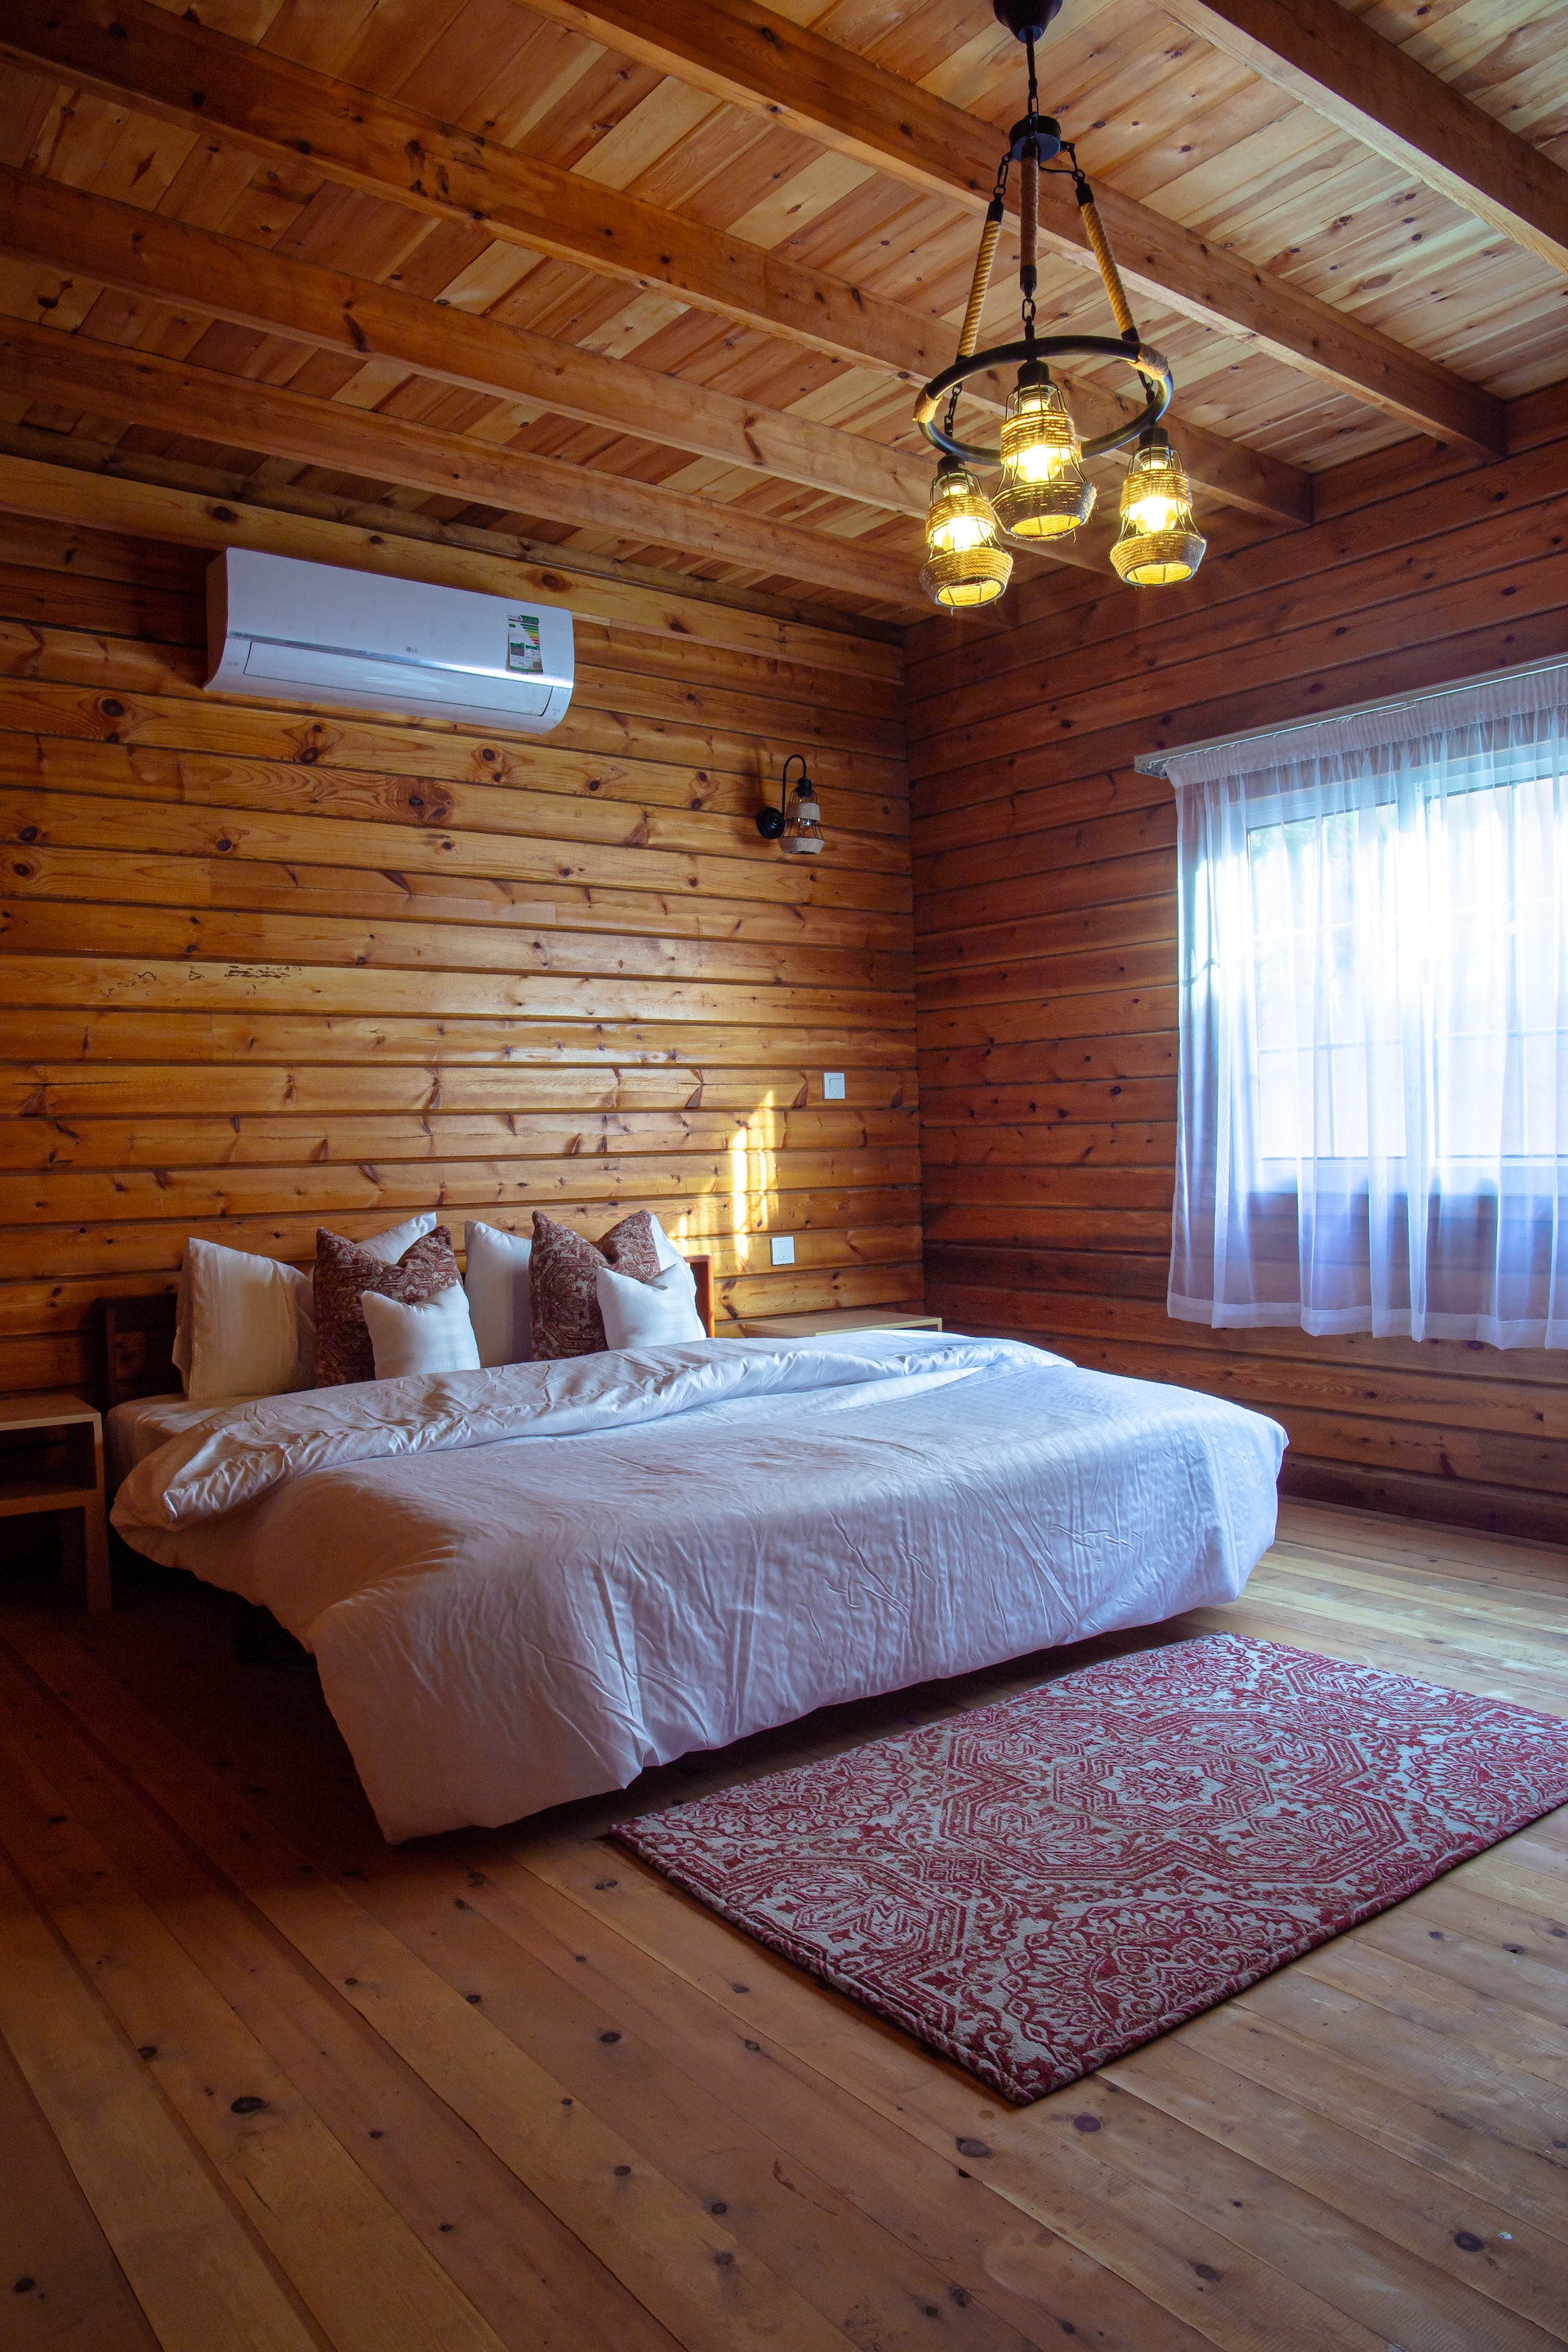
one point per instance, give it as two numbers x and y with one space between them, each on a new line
112 380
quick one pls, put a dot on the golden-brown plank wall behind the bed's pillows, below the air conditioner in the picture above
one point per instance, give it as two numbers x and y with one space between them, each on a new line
269 970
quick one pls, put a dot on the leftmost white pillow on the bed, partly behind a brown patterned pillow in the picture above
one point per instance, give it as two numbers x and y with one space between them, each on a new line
248 1325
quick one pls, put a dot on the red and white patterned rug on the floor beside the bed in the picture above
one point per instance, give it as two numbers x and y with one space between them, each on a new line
1040 1887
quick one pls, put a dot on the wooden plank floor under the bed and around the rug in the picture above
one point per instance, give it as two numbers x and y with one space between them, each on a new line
272 2085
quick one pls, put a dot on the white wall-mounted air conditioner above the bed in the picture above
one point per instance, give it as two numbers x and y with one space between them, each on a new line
311 634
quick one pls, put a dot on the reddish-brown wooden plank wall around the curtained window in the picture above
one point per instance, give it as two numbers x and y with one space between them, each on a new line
1045 878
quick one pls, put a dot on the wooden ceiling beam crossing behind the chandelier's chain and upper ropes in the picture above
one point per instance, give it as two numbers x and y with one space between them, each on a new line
768 65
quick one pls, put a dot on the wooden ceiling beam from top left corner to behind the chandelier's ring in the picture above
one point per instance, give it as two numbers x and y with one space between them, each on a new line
192 76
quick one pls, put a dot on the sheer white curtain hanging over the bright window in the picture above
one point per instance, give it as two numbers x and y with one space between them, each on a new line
1374 1022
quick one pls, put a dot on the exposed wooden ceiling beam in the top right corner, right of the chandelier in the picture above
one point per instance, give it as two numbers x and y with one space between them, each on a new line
1346 72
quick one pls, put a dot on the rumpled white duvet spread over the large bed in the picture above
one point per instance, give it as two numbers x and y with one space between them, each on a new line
530 1584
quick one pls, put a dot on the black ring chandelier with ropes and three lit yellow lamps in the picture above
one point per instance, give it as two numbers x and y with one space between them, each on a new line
1043 495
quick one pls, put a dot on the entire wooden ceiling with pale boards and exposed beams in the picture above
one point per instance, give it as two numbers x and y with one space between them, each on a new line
650 281
